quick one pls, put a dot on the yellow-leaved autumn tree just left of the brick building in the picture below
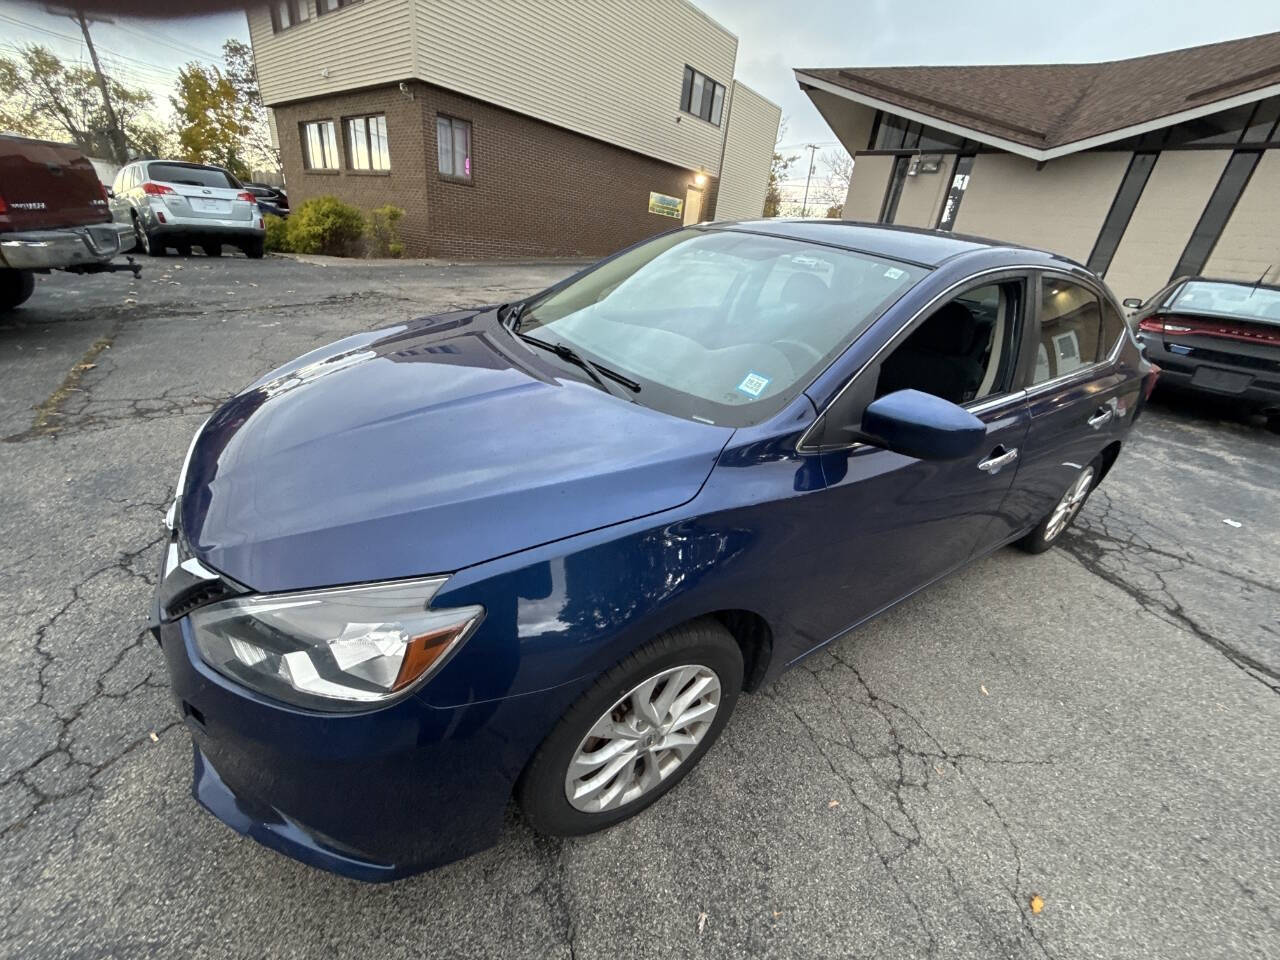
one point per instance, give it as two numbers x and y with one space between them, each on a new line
211 121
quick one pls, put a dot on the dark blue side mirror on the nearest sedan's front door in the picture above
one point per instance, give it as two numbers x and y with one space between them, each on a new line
924 427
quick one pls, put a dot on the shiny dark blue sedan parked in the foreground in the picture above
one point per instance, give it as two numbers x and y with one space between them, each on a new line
540 550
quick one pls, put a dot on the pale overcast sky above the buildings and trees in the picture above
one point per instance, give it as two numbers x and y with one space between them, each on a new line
775 36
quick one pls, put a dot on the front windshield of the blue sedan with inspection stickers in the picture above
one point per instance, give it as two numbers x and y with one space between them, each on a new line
720 326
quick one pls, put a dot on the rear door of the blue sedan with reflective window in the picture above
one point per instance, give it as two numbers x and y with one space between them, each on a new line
1077 397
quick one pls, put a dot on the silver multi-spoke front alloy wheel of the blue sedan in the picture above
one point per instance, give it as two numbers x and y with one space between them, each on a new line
643 739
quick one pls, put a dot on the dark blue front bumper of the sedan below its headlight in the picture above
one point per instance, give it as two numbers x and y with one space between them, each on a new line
373 797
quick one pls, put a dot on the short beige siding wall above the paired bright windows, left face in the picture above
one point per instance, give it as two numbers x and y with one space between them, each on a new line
359 47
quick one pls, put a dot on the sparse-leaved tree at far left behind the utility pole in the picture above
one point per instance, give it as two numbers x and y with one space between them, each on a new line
52 100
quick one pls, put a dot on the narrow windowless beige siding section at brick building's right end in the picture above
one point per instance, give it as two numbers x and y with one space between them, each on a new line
753 129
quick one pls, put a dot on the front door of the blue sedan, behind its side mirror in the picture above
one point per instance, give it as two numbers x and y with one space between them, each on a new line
895 524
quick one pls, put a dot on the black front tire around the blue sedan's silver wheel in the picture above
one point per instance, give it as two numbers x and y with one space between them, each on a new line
697 656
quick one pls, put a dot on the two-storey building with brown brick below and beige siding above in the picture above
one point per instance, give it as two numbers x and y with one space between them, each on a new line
511 127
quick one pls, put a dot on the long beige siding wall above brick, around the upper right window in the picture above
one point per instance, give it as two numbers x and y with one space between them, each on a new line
606 68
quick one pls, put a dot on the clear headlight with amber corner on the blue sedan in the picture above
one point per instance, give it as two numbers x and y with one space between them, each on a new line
345 650
